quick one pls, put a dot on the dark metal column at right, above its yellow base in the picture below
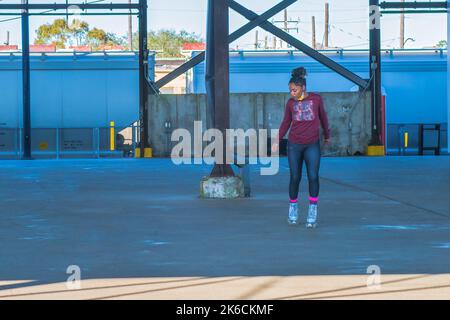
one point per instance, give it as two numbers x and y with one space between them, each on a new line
375 70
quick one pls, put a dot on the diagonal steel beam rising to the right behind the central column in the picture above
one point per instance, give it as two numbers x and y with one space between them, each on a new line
234 36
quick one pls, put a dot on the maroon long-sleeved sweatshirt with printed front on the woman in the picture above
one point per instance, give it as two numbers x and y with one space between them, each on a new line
304 118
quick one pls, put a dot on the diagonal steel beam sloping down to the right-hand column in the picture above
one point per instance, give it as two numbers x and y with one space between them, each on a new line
336 67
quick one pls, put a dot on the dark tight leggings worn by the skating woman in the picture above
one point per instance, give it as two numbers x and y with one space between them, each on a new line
311 154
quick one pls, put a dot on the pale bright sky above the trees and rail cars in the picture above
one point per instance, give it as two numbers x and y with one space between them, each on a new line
348 22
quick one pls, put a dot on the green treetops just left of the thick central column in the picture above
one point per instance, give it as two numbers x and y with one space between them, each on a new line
169 42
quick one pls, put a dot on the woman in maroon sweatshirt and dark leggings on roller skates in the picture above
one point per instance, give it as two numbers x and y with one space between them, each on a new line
304 114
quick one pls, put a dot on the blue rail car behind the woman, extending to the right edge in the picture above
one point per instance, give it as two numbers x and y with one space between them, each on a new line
415 82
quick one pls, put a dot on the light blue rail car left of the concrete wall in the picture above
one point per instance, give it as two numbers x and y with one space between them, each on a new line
82 90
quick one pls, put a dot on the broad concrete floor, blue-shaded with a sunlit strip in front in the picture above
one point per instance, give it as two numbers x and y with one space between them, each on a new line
135 227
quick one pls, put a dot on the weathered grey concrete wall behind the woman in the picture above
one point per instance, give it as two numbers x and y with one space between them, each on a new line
348 114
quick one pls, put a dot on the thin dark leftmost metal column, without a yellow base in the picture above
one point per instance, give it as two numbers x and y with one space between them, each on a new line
26 83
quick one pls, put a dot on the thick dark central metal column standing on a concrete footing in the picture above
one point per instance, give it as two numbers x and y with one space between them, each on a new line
217 76
